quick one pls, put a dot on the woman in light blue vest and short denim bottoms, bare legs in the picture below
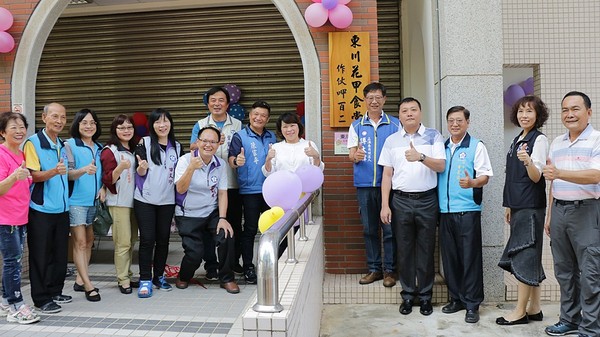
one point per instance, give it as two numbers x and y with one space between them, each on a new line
85 172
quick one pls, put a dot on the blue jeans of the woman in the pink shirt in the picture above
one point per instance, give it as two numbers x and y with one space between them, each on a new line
12 240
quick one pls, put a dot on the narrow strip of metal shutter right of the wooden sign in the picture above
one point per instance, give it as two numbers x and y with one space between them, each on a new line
388 19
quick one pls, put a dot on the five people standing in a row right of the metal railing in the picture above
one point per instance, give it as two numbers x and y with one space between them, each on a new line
409 180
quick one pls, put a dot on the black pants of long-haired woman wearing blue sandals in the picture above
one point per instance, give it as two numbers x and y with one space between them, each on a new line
154 223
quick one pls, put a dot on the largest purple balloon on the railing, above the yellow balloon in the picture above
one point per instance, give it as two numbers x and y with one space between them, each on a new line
283 189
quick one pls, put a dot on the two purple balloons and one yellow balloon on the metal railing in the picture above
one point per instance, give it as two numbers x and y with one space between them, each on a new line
282 189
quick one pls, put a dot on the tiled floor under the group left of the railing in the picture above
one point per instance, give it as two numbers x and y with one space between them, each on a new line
200 310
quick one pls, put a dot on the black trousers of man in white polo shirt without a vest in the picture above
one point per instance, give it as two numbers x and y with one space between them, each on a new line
414 221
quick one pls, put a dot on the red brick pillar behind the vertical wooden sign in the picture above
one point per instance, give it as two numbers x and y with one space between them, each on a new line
344 243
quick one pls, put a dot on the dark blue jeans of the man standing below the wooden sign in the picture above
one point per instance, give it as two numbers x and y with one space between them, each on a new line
369 203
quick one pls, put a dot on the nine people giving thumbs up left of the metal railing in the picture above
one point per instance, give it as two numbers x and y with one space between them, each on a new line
51 187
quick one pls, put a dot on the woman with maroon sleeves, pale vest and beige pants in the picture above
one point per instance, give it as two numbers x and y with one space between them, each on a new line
118 176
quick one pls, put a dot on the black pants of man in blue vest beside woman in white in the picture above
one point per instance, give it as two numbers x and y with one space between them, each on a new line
254 204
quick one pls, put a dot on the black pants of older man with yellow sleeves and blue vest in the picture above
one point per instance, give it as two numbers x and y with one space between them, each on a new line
48 241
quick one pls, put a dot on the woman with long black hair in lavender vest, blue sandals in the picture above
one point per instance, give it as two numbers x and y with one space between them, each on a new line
154 199
